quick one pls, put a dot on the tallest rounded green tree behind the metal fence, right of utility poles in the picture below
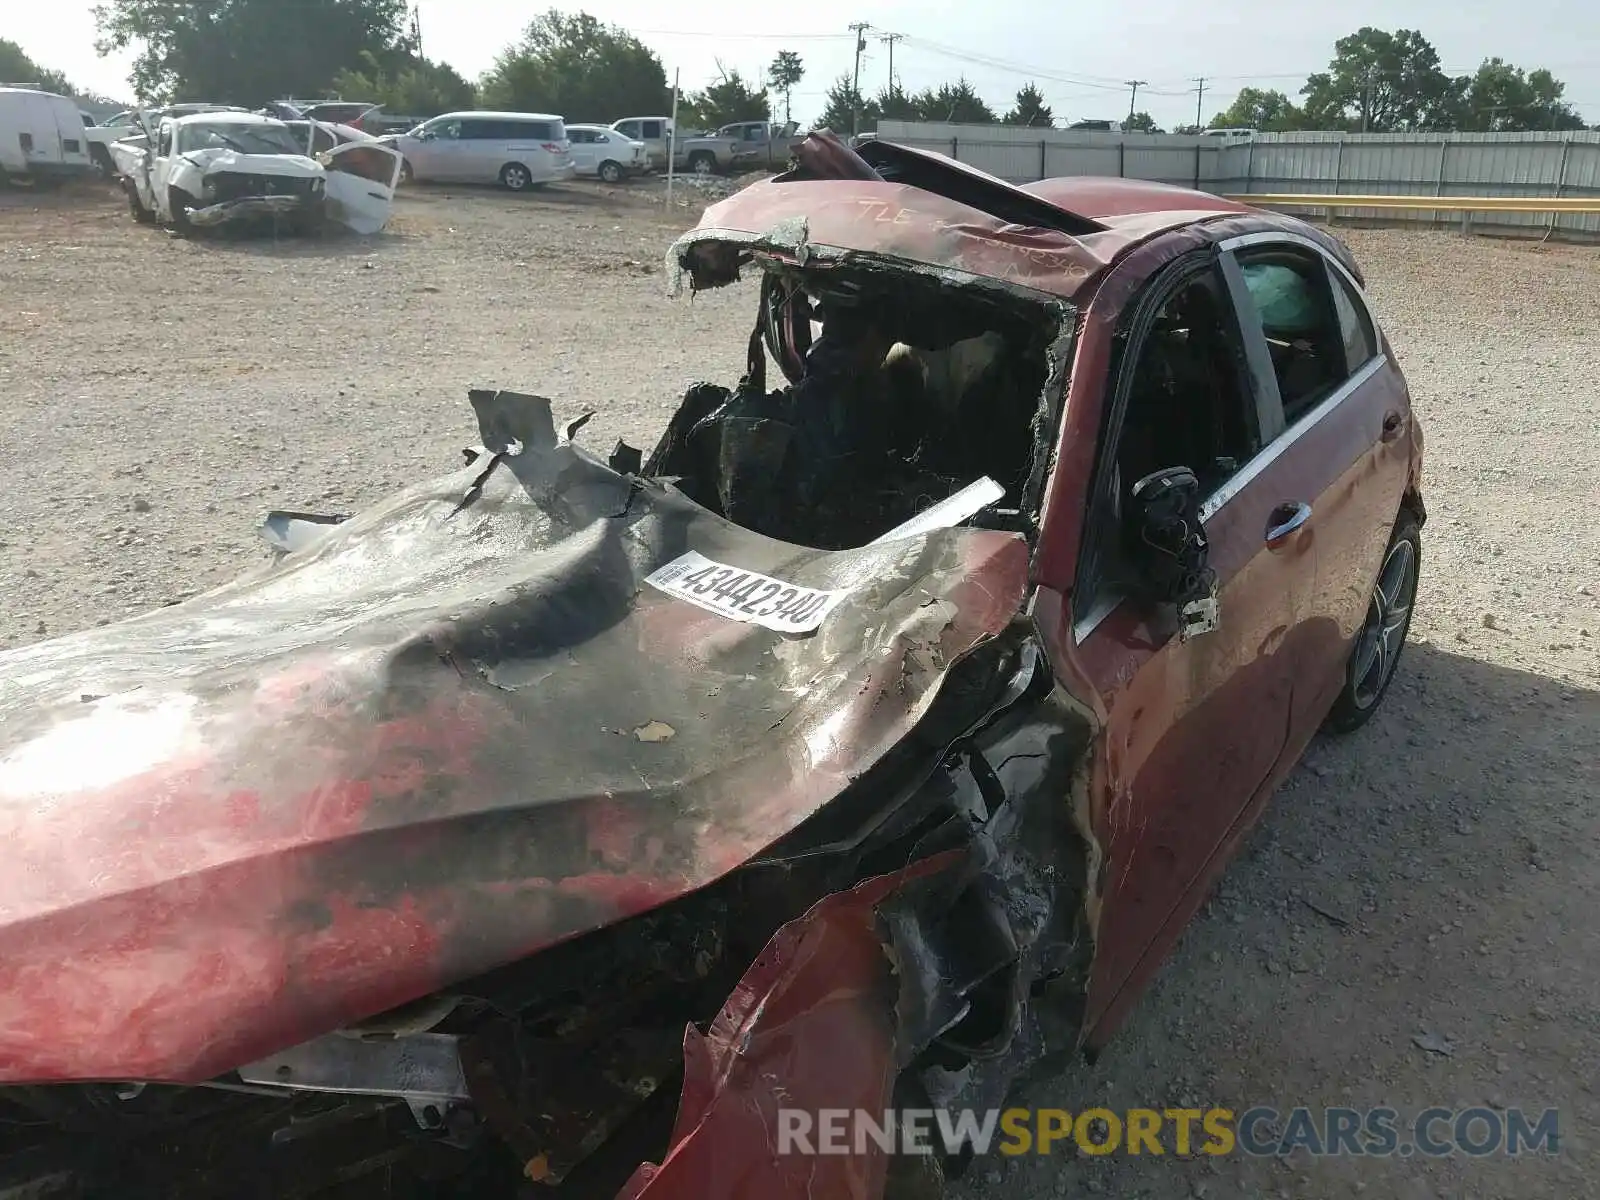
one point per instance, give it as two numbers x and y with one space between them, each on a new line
1383 82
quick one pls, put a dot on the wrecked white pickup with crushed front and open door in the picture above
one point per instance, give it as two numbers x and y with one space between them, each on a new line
220 169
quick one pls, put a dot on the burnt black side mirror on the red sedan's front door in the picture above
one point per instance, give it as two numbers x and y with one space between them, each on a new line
1170 553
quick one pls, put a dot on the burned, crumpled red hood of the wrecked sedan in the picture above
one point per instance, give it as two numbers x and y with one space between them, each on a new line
450 732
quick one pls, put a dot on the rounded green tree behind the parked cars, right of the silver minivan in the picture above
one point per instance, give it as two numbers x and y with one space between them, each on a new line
578 68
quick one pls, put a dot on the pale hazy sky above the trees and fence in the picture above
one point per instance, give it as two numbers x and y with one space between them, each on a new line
1081 57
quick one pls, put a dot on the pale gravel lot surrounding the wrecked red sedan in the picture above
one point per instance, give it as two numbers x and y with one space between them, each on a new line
161 394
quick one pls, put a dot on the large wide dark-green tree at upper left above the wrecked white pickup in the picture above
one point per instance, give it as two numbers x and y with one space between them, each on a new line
247 52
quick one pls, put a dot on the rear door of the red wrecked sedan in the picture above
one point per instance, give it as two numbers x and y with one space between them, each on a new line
1346 414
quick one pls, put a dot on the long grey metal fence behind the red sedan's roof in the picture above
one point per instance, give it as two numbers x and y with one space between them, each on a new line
1319 162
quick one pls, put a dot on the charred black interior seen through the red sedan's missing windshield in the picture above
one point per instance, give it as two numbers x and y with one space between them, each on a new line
895 388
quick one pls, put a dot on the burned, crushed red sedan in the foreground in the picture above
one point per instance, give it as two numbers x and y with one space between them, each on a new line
553 825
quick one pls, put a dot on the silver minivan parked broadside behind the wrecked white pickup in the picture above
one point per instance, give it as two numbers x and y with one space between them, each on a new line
514 150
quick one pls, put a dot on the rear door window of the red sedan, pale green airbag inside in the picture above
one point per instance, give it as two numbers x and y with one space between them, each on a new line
1292 308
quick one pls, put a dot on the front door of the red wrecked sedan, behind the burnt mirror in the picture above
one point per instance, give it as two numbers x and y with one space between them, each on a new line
1194 730
